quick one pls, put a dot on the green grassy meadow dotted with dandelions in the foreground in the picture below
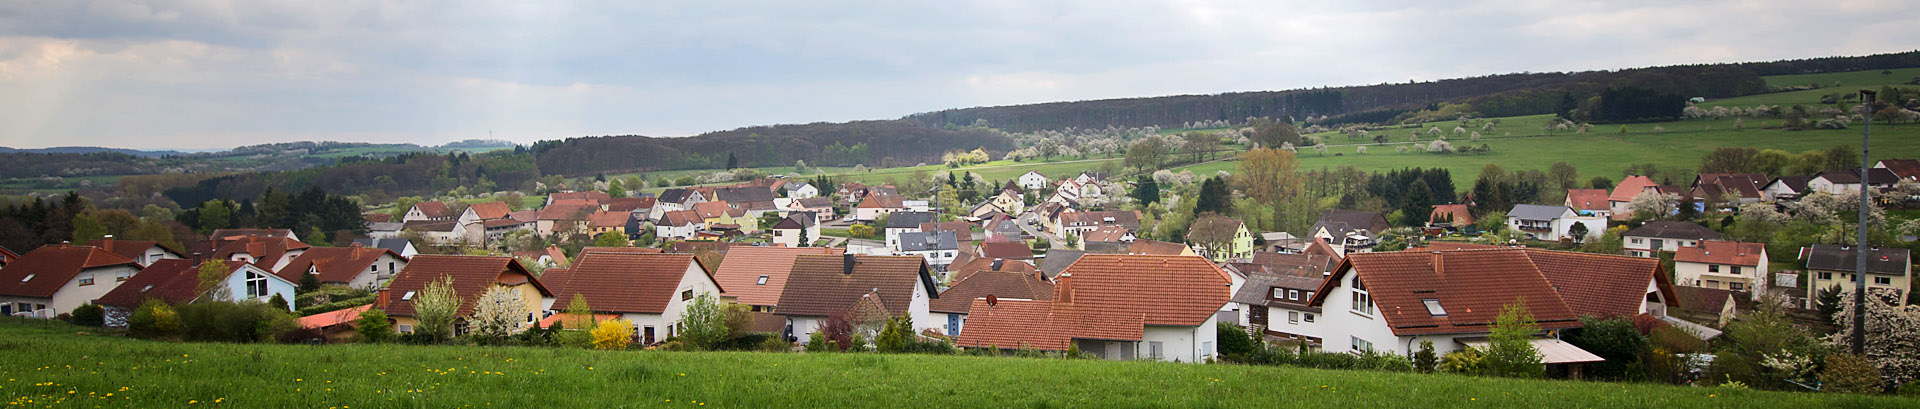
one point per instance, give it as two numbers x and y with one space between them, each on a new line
103 372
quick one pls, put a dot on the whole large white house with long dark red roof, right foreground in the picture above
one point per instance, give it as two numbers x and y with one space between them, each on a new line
1395 301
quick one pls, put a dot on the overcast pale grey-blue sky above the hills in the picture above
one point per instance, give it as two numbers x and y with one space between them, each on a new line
220 74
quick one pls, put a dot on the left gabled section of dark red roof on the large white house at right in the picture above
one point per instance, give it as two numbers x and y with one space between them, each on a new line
1470 285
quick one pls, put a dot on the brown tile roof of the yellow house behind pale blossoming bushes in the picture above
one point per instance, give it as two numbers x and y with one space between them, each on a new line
473 276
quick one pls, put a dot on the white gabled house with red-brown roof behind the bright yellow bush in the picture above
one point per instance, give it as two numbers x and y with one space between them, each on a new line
650 291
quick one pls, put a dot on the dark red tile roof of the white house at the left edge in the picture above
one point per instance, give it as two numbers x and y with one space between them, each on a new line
43 272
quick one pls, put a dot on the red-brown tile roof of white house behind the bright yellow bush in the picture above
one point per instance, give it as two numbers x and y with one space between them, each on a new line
625 283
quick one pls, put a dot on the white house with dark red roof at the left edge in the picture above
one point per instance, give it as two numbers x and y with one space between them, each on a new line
57 279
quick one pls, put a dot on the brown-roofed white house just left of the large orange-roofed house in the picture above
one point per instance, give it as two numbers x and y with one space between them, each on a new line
823 287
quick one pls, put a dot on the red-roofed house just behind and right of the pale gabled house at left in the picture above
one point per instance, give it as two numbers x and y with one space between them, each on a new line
352 266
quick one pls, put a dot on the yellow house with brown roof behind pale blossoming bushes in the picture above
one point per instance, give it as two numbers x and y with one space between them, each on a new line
471 276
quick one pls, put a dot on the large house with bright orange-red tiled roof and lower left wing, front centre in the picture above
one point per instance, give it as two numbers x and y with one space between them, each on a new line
1111 306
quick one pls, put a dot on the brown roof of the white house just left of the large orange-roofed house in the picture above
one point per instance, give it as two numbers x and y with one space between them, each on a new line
821 287
